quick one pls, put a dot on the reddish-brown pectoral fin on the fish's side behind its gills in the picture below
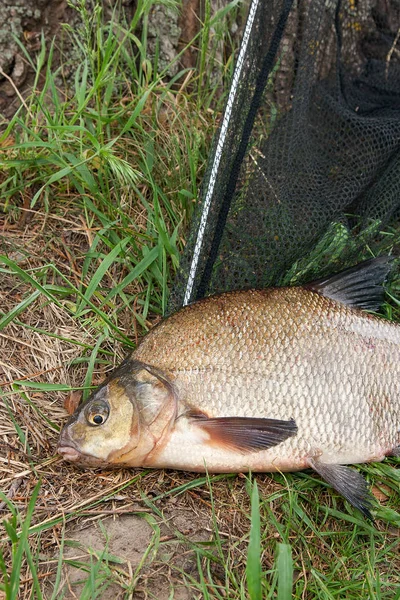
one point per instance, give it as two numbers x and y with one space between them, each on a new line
245 434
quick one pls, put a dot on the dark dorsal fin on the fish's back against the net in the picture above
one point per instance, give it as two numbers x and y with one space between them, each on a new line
360 286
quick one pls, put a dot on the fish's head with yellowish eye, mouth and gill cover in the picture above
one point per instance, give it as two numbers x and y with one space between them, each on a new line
123 421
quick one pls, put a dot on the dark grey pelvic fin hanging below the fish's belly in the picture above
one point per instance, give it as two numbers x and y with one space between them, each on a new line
347 482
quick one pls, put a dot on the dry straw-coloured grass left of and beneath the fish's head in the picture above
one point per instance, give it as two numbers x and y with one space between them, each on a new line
68 495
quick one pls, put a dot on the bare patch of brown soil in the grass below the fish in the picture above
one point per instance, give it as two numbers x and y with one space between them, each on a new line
126 539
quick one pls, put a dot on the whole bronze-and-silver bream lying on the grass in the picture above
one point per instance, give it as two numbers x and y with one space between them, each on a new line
277 379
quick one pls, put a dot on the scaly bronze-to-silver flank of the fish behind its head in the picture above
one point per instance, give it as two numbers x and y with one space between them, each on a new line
307 357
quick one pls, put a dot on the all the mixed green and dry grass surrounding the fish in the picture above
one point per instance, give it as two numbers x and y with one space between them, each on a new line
97 185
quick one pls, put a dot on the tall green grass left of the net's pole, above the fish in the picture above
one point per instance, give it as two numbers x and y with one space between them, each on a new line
111 164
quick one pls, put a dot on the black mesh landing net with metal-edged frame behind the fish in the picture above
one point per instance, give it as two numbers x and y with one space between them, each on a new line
306 165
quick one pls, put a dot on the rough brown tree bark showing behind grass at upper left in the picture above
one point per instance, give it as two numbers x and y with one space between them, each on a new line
27 20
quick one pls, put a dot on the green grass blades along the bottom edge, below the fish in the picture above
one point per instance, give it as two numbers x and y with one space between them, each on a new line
344 561
